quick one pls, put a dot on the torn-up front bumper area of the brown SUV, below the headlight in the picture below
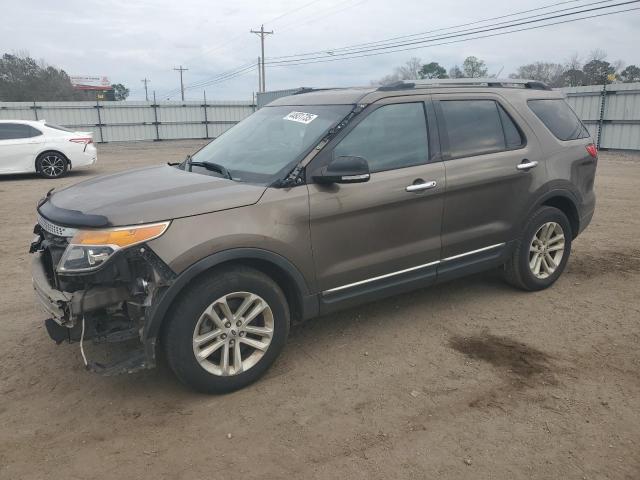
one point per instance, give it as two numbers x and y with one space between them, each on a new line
105 307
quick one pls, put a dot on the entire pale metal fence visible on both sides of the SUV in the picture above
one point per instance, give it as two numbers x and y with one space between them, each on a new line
611 113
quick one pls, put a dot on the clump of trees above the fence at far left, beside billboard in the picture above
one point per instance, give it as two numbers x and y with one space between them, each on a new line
24 79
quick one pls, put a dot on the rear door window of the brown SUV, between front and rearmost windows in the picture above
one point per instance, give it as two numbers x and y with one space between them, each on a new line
476 127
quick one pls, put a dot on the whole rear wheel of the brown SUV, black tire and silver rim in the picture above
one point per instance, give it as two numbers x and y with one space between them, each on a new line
530 267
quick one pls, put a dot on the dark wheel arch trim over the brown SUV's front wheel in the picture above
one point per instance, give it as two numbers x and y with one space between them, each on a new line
302 303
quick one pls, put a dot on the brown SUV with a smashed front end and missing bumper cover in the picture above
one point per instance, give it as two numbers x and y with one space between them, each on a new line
317 202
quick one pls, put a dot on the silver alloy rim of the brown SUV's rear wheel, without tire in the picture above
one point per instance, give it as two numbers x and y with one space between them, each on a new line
546 250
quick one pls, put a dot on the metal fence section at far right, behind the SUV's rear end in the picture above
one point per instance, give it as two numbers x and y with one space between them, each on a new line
610 112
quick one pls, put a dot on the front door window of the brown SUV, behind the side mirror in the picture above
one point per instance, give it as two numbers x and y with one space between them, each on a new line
393 136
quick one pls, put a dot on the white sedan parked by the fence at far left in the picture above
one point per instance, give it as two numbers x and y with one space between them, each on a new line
37 146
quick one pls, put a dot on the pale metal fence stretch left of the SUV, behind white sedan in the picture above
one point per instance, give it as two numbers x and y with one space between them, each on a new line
123 121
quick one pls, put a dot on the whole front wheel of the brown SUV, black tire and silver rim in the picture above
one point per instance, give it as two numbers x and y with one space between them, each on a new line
197 324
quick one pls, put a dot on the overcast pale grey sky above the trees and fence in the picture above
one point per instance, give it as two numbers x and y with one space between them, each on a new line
128 40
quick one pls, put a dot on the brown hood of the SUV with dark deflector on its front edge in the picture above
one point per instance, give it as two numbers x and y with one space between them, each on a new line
145 195
